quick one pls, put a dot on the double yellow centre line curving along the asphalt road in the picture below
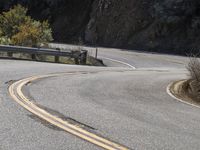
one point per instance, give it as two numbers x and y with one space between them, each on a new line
15 91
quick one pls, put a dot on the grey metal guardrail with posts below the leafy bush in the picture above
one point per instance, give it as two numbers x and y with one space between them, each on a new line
80 57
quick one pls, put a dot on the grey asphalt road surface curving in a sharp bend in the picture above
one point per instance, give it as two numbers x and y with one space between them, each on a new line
128 106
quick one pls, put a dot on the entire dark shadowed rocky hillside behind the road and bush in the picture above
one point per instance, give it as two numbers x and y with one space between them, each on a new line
153 25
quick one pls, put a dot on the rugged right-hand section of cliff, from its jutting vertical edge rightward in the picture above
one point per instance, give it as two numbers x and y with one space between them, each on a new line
167 25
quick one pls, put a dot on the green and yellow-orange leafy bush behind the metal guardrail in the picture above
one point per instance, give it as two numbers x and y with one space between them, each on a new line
19 29
